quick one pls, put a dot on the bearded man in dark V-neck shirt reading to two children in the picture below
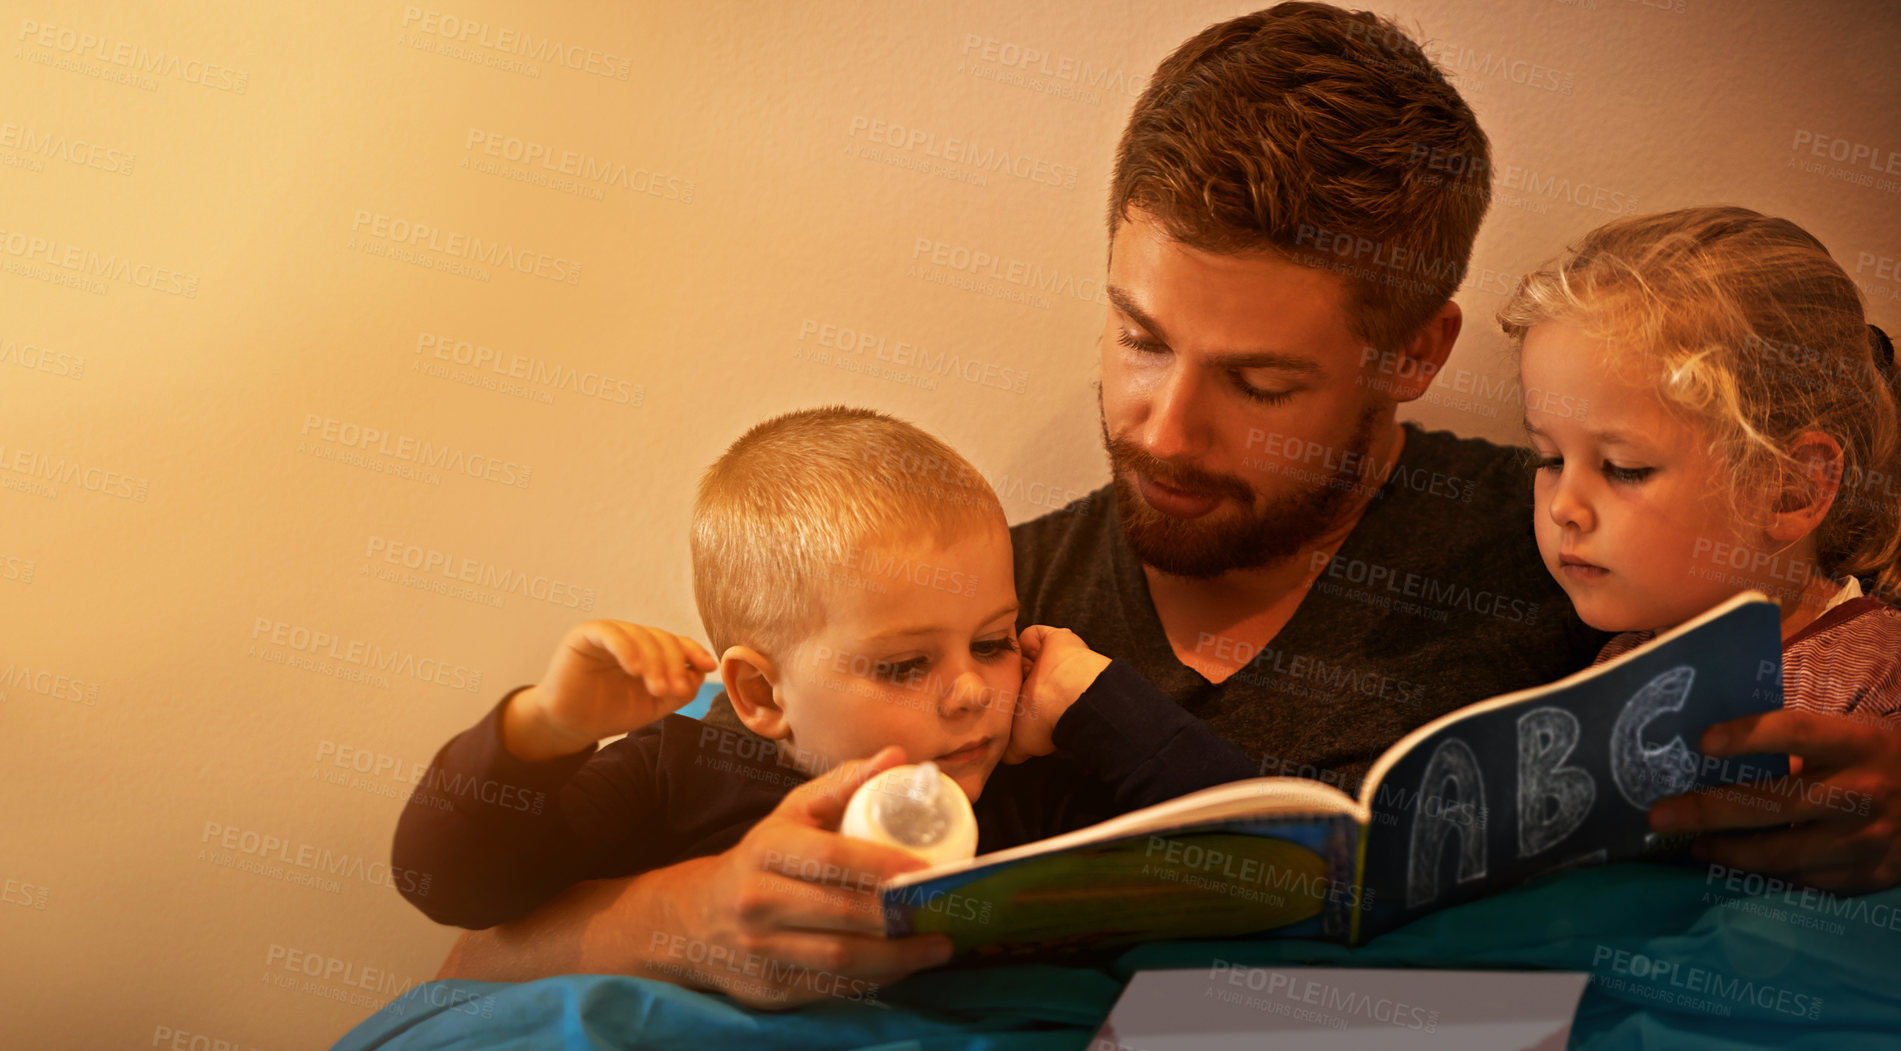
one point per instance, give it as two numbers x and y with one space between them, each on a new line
1275 550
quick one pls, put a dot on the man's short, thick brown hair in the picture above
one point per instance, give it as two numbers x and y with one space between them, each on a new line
1326 138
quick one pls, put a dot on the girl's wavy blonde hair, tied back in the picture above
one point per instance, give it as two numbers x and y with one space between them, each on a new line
1756 334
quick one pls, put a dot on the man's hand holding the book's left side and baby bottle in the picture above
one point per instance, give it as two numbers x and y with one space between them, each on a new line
792 913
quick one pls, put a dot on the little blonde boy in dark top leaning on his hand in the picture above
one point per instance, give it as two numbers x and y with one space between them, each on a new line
854 577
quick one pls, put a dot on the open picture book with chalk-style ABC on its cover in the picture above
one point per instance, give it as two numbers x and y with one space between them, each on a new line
1474 803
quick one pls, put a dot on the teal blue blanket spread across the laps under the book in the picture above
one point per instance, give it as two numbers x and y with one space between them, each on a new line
1678 959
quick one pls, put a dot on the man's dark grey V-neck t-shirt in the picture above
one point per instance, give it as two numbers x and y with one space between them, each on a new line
1434 602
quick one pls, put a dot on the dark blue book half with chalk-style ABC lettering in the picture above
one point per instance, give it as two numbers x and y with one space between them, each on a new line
1497 793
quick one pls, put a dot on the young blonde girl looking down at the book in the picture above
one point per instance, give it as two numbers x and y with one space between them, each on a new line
1712 413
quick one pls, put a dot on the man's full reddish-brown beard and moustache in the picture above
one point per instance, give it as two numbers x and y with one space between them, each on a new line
1202 548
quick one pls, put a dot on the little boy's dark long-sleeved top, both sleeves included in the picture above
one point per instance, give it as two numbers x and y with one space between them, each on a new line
490 837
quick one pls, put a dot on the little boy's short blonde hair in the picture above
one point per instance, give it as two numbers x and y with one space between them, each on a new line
784 514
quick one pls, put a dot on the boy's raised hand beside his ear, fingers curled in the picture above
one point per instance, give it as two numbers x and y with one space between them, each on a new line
607 678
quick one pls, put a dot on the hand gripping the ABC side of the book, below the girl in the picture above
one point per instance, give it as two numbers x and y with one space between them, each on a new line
1843 801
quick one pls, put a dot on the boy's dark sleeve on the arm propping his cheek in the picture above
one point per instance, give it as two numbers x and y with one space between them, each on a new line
1142 744
